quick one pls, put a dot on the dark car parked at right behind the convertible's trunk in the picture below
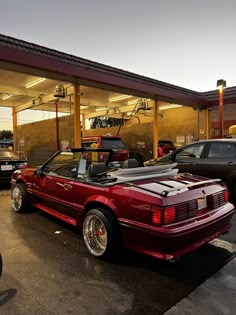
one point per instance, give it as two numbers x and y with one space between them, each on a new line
215 158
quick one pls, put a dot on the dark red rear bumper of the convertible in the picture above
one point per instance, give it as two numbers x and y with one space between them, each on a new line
173 241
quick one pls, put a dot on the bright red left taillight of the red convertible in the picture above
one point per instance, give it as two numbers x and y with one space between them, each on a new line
163 215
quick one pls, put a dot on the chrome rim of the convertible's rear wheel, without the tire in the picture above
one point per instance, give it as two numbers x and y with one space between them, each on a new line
95 234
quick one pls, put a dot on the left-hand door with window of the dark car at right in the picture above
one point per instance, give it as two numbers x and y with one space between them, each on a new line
190 158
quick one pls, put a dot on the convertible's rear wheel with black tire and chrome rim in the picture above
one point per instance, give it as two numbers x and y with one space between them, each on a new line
101 234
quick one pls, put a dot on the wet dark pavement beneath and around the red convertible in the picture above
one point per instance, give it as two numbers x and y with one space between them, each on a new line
48 270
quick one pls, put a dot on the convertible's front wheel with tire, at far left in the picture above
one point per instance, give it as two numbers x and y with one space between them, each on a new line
20 198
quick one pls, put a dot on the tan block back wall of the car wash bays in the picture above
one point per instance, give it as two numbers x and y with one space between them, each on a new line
181 125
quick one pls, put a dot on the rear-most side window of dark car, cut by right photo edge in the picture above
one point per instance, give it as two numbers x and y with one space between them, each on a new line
222 150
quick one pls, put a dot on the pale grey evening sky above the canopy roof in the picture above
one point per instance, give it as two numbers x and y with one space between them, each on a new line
188 43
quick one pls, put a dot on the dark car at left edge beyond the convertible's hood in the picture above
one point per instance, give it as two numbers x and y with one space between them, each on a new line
9 162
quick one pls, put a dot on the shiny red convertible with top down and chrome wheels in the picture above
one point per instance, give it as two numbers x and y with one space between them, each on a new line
153 210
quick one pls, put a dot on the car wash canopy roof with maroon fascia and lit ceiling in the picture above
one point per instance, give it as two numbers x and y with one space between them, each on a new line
104 90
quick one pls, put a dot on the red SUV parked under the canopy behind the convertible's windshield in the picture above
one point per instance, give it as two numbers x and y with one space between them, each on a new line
116 143
